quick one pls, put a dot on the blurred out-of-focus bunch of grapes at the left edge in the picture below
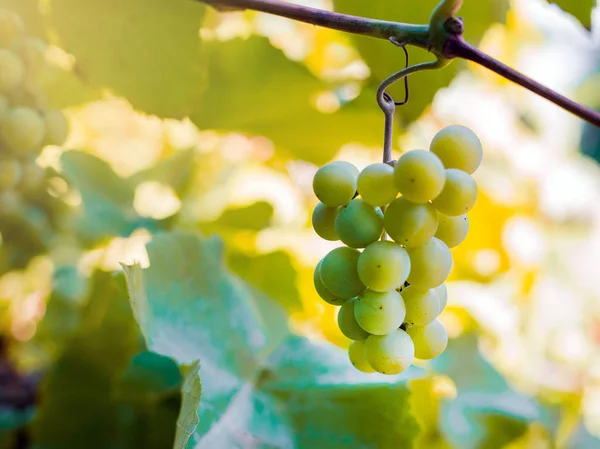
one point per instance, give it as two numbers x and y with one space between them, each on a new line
27 124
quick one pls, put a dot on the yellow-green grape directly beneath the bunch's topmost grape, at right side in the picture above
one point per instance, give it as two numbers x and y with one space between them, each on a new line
458 195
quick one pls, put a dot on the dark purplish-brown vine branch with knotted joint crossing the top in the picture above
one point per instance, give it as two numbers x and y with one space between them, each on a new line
442 36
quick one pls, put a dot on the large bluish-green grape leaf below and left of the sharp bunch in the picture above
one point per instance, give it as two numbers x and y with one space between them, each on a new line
253 394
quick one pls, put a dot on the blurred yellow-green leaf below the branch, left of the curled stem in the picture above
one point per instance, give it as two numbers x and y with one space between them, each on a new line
273 98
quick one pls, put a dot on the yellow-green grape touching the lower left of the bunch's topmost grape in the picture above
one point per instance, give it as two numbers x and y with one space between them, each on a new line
419 176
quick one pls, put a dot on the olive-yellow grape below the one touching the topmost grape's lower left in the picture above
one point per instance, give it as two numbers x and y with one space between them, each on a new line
410 224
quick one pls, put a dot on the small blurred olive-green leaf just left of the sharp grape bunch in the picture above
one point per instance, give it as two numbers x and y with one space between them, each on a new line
261 270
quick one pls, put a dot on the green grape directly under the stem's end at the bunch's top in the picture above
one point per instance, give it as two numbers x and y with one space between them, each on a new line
376 184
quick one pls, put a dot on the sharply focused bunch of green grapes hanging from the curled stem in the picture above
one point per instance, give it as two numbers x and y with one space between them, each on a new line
391 293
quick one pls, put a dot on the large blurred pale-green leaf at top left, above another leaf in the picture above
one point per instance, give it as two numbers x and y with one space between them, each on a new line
148 51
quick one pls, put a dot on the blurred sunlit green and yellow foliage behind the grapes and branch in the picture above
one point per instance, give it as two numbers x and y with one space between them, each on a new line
194 138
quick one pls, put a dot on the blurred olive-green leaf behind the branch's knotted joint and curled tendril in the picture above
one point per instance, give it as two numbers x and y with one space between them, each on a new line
384 59
